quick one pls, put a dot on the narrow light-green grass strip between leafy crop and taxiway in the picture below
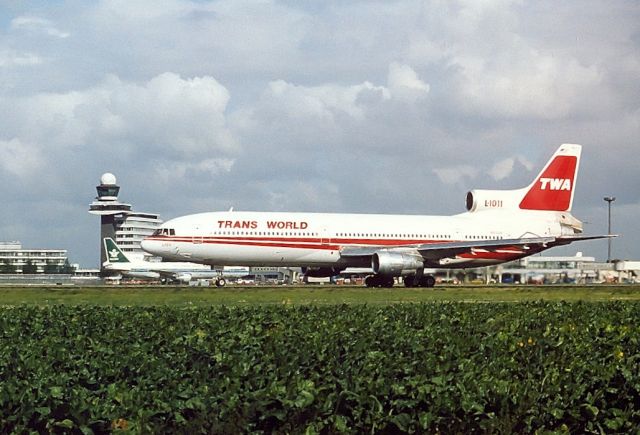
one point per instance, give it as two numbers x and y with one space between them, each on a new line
327 294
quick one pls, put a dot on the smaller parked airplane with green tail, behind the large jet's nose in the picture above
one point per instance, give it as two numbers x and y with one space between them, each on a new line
183 272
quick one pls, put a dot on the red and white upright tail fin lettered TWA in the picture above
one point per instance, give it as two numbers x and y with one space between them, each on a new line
554 187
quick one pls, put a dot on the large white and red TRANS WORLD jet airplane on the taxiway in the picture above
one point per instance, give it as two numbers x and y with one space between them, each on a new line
498 226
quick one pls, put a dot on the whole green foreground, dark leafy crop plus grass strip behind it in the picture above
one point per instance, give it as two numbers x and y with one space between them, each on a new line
319 360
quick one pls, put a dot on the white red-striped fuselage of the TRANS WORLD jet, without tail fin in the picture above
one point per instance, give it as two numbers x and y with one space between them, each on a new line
316 239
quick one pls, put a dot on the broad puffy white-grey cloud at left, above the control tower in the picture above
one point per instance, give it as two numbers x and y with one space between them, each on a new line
173 115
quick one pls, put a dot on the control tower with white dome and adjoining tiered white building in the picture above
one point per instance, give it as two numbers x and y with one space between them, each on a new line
119 222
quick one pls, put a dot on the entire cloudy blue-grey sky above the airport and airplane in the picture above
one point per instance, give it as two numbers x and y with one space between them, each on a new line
357 106
